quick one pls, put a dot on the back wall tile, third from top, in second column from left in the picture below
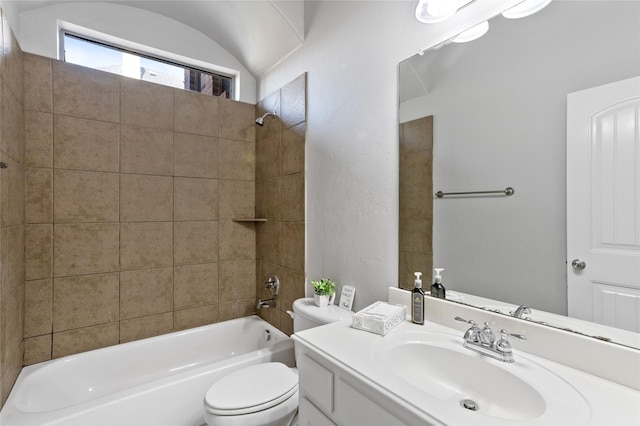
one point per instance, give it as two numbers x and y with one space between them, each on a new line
85 196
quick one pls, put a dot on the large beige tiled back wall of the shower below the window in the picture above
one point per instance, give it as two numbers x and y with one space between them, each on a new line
131 189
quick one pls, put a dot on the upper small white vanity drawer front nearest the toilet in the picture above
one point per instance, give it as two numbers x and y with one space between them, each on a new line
317 383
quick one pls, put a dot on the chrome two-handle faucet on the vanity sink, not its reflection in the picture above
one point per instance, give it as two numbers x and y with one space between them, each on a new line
483 341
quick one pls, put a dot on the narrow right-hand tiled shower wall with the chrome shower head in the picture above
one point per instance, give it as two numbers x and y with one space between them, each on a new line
280 185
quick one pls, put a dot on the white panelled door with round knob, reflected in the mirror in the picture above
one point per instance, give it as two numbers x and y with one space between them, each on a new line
603 204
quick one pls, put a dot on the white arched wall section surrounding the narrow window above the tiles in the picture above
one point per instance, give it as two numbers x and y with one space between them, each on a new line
37 32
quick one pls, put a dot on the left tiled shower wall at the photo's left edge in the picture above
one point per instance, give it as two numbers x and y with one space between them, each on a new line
11 210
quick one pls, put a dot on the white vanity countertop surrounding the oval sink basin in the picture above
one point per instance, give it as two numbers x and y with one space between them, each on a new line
610 403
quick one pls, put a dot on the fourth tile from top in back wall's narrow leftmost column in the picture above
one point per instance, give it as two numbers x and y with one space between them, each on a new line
38 251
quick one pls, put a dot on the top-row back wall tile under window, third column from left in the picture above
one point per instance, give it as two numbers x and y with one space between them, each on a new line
146 104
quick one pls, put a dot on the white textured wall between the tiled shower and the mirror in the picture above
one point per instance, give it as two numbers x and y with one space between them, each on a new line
351 54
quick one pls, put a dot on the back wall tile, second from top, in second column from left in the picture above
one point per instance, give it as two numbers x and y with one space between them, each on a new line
82 144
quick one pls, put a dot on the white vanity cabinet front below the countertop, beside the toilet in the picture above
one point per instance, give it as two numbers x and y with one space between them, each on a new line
330 394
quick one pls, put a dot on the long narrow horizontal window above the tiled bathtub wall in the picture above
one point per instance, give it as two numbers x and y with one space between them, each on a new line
93 54
